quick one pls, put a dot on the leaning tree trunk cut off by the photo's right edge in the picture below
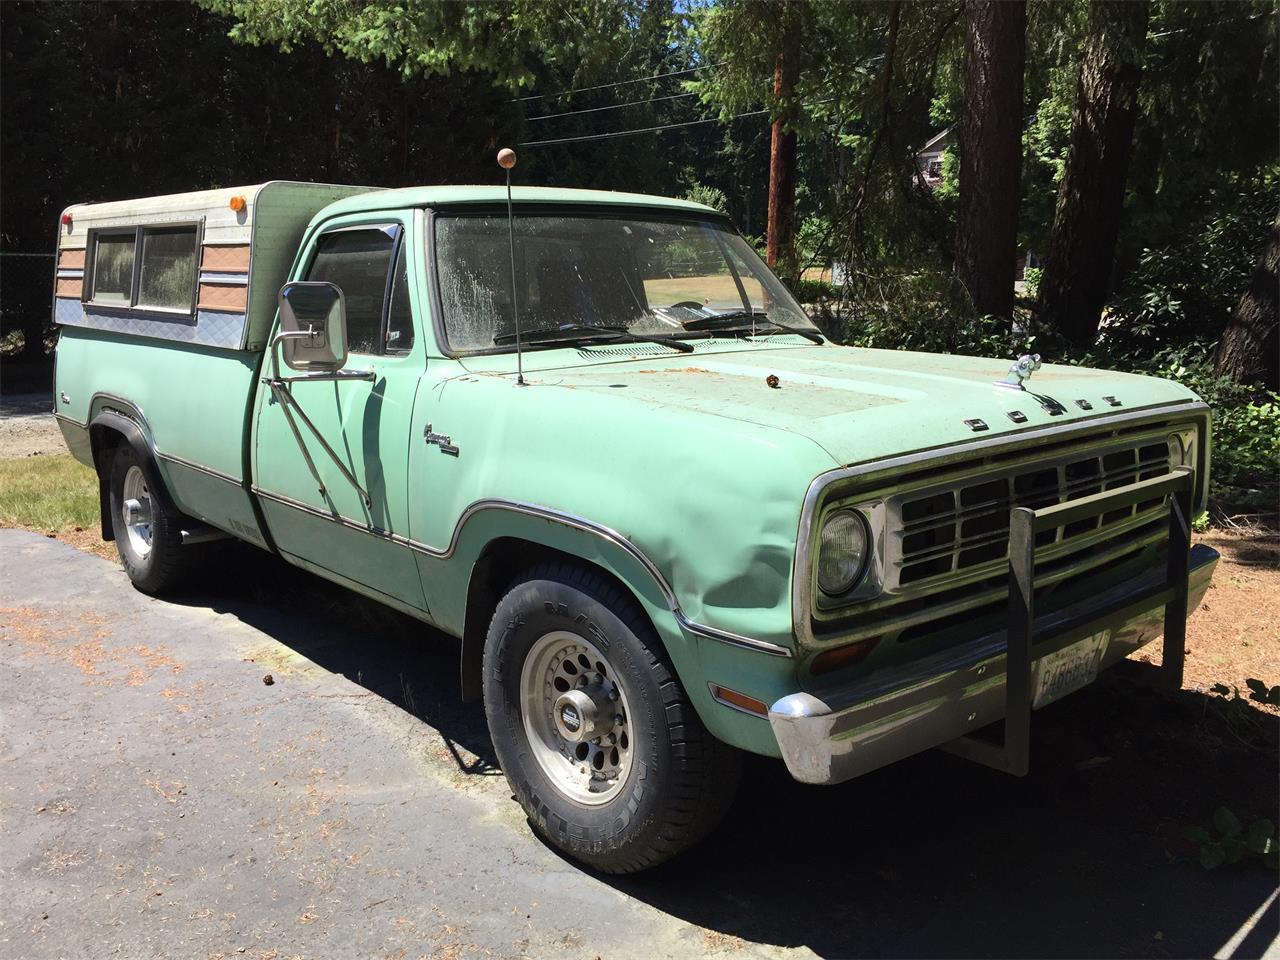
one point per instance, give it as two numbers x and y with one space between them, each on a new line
1250 350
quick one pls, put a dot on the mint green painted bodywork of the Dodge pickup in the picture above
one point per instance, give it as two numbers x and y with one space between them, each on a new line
693 459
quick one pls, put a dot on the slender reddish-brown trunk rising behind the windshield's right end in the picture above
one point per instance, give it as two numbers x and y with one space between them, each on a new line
780 243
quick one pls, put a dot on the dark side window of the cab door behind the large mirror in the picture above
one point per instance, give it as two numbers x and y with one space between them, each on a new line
359 262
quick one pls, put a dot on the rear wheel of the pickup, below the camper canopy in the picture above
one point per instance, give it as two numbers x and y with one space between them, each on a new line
148 538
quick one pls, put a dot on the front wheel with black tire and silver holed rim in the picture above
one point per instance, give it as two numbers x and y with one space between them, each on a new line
592 728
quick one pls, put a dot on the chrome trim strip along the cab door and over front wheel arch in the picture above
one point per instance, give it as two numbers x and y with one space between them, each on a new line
556 518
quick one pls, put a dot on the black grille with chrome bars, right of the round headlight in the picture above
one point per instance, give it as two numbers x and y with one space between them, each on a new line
966 525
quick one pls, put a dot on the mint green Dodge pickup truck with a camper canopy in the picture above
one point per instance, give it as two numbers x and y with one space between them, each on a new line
592 436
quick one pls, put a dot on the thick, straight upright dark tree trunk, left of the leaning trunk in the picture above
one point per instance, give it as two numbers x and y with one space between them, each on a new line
991 153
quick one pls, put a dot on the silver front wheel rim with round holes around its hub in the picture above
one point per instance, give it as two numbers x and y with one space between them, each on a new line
577 719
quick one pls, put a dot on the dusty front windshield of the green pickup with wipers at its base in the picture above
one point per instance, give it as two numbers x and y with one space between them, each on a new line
651 277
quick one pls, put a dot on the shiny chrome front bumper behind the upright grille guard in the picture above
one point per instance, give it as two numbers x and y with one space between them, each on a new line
849 732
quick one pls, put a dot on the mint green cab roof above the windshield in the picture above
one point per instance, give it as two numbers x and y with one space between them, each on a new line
463 195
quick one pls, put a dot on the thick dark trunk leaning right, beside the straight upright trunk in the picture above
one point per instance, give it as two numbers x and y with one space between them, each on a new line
1090 202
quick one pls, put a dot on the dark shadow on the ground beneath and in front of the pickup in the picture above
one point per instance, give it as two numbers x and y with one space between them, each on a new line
932 857
